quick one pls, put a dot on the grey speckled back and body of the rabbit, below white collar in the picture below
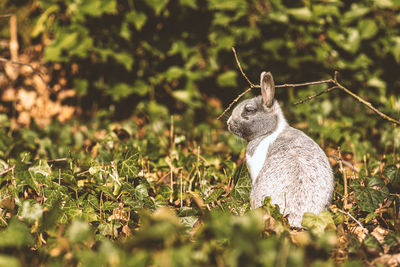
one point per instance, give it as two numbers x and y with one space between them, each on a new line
296 175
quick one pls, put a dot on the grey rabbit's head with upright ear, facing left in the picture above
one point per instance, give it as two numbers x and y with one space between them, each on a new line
257 116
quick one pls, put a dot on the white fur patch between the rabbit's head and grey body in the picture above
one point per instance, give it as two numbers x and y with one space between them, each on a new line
256 161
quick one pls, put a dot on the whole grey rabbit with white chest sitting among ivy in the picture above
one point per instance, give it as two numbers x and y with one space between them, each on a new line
284 163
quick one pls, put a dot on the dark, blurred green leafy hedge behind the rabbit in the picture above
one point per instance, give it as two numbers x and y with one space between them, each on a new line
163 57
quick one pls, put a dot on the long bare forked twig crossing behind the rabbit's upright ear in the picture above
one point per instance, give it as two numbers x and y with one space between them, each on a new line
334 81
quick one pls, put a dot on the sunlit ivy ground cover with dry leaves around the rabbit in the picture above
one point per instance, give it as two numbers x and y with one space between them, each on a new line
153 193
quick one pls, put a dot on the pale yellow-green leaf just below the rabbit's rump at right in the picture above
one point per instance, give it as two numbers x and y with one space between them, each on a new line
318 223
